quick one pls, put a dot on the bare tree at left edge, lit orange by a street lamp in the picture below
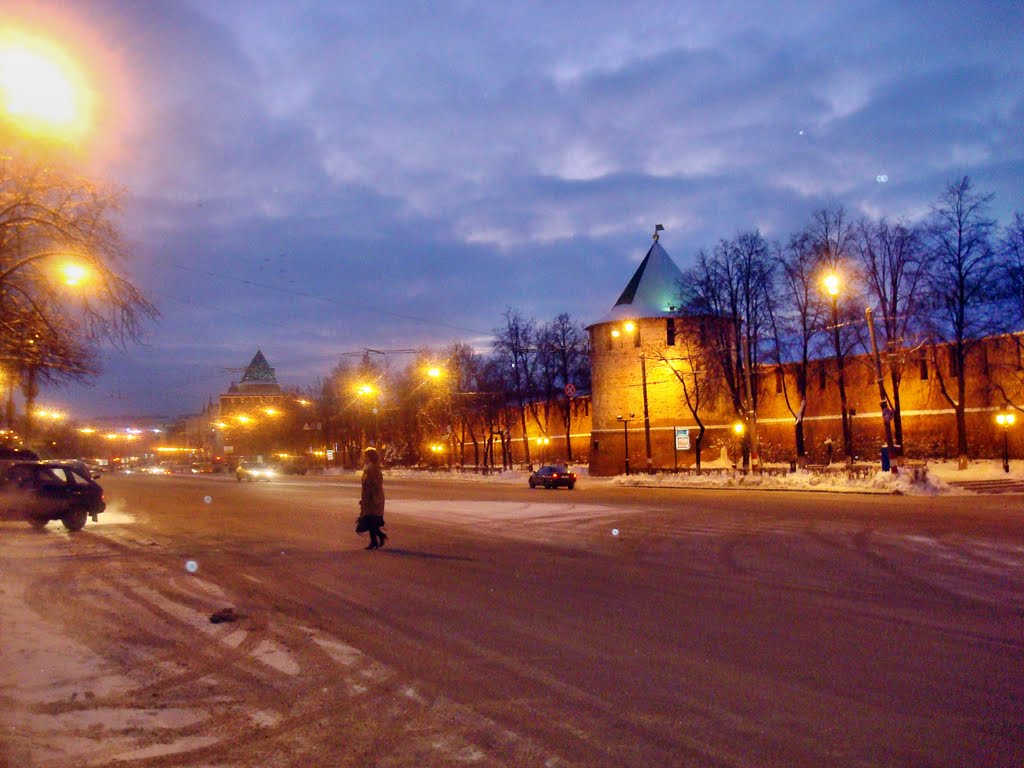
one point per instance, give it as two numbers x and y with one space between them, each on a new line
51 217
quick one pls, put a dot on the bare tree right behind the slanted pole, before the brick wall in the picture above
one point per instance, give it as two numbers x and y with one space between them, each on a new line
892 262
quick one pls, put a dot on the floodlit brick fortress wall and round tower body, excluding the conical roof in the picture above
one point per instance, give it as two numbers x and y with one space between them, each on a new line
929 426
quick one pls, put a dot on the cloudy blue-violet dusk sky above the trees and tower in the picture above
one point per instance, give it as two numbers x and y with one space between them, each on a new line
315 178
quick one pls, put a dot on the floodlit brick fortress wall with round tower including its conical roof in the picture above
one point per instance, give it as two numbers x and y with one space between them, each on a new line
645 357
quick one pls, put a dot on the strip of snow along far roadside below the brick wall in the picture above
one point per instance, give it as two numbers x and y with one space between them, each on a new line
937 480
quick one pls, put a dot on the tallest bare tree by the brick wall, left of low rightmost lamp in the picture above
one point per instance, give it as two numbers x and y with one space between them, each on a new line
963 279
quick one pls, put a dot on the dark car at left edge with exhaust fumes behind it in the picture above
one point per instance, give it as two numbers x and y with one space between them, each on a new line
40 492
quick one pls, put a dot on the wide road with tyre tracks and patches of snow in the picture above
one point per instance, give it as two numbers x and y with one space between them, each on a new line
503 626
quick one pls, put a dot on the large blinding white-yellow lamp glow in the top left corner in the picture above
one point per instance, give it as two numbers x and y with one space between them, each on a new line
41 88
